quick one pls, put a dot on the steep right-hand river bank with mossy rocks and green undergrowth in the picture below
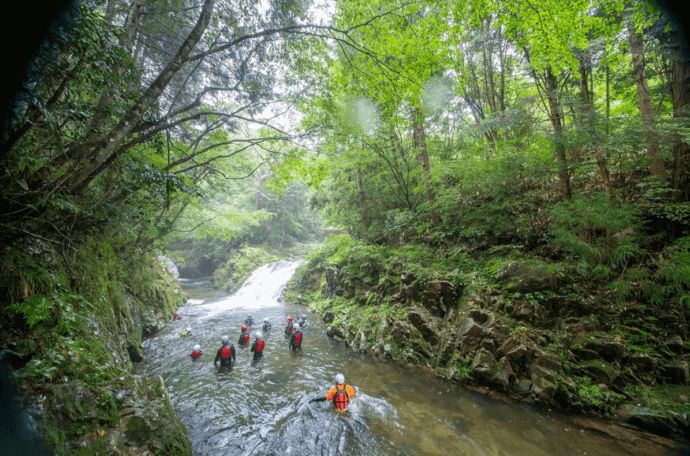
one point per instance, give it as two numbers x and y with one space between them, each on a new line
534 329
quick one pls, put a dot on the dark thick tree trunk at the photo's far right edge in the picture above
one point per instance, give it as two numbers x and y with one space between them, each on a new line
680 90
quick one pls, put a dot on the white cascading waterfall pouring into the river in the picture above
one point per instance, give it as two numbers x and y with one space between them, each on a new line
262 289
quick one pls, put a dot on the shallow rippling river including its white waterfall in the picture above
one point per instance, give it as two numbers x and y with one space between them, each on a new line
263 409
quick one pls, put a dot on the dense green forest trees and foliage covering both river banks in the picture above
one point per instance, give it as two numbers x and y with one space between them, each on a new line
527 157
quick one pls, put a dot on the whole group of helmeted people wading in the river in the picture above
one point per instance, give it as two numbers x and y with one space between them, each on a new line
226 355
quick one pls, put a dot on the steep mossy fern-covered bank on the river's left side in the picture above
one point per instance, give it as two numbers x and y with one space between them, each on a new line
71 333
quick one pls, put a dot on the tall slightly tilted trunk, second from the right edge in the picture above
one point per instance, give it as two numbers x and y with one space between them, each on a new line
656 162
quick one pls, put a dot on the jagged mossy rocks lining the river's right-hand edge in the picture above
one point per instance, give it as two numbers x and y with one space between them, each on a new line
557 356
